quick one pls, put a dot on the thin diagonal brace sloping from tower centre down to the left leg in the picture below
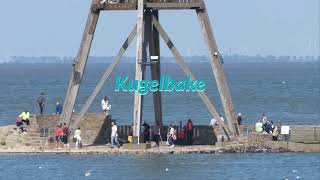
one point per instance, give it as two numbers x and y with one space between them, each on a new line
104 78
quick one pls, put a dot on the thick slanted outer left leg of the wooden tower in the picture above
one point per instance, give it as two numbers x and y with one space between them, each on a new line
80 64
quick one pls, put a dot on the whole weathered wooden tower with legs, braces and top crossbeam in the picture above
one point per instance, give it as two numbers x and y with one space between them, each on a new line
148 31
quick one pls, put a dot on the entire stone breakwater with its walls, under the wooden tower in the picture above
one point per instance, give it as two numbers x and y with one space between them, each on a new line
96 134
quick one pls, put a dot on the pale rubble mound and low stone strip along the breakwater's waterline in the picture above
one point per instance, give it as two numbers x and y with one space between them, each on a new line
12 141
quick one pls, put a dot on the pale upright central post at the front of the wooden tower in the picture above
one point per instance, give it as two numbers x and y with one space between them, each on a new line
137 112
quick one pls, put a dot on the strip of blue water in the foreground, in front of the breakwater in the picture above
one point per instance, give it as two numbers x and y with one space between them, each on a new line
200 167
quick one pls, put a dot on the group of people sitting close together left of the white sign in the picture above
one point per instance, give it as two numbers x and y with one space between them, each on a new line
265 126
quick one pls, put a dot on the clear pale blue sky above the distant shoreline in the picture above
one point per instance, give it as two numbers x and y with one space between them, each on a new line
249 27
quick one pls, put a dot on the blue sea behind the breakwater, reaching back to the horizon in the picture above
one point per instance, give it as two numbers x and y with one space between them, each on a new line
286 92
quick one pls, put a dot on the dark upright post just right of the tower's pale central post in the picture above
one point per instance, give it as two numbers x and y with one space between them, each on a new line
154 50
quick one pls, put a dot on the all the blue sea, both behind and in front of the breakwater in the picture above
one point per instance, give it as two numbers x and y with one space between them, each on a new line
286 92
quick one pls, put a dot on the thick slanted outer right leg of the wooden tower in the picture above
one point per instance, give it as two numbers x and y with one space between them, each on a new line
216 64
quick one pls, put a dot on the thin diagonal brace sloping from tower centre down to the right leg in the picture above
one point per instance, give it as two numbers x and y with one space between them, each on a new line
187 71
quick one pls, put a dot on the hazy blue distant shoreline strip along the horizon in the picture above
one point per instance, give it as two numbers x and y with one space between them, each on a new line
189 59
